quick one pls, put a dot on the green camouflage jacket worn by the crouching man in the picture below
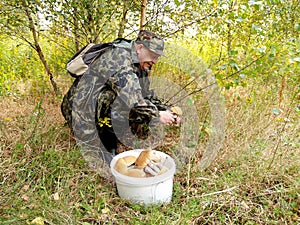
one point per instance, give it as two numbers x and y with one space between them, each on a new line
113 90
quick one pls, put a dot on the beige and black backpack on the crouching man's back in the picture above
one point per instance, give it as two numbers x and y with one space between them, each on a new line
80 61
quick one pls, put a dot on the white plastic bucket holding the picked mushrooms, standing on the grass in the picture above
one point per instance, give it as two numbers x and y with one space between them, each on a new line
149 190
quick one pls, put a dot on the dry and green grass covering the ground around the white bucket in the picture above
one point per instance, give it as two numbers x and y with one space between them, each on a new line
255 179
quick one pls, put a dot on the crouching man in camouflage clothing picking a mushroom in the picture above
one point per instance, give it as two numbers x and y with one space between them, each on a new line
114 94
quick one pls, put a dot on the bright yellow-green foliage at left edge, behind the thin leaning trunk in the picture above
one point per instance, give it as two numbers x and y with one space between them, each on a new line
20 66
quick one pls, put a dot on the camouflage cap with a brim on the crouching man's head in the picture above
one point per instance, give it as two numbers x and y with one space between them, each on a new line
151 41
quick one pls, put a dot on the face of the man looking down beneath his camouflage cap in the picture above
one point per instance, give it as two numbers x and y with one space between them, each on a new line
146 57
